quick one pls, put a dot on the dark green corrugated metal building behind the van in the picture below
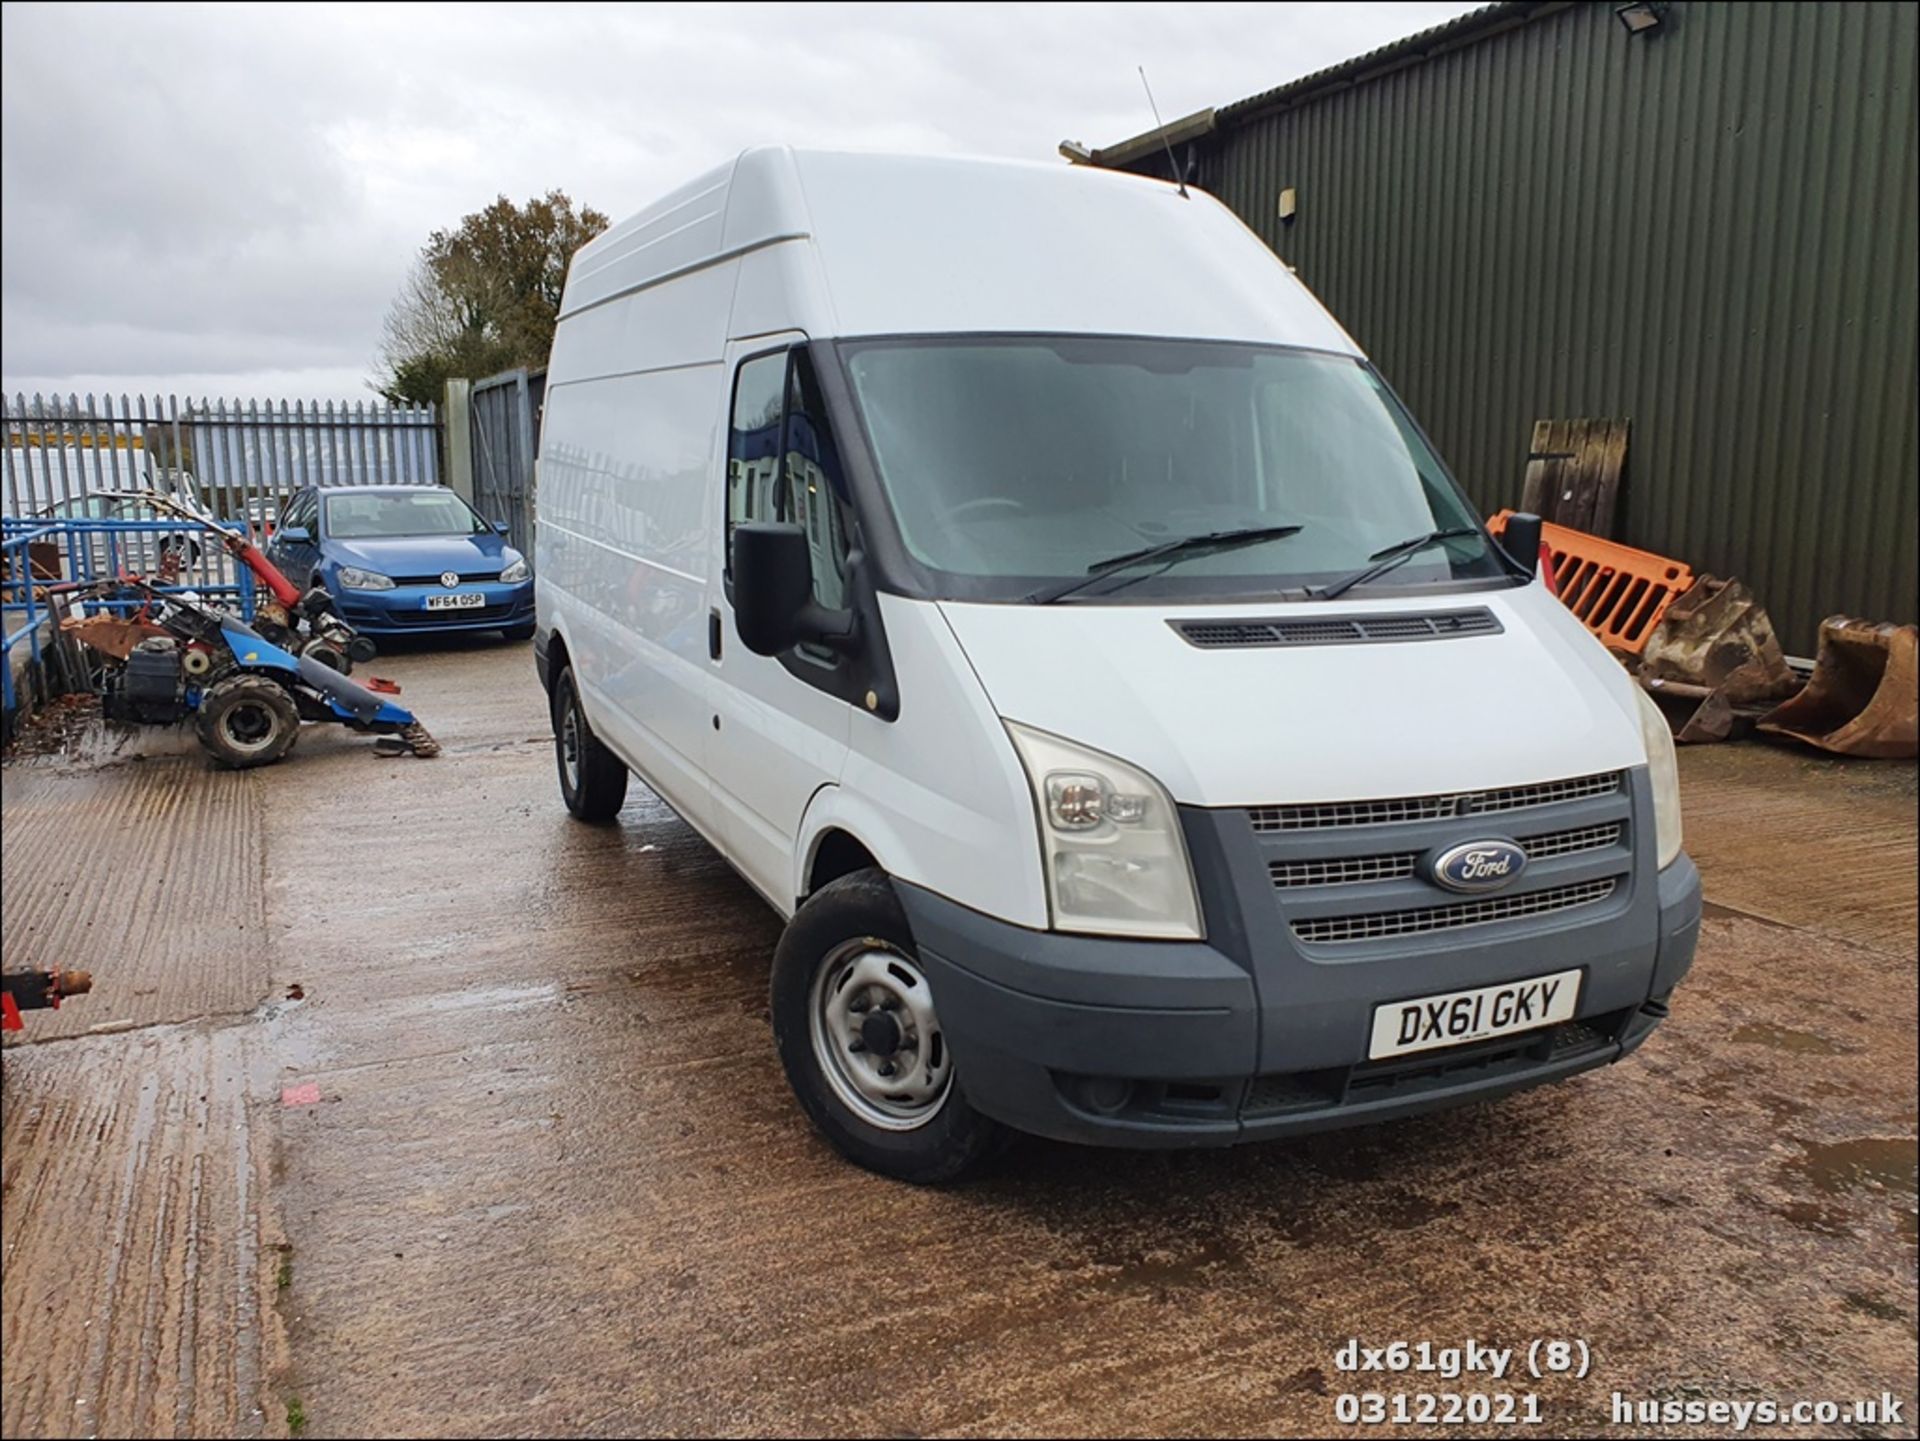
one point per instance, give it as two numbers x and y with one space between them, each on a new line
1706 227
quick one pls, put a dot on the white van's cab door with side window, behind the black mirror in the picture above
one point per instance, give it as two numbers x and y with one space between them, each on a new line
780 730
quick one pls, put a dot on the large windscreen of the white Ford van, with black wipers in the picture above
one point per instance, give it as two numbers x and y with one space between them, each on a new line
1019 461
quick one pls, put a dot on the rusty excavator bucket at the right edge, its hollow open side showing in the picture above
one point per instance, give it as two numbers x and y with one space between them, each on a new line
1861 699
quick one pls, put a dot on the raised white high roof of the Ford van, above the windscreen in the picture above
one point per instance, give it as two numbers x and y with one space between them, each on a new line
921 245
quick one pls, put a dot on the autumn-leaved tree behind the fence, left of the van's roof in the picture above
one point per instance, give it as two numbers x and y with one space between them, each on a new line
485 296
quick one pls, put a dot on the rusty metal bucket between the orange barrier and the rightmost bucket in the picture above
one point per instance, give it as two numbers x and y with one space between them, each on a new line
1714 661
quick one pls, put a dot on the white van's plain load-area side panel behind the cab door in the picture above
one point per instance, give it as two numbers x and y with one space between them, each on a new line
635 400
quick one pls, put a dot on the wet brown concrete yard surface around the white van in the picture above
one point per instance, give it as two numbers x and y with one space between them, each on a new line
556 1183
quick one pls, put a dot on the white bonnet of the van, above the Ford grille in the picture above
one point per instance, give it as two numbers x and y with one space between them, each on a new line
1330 722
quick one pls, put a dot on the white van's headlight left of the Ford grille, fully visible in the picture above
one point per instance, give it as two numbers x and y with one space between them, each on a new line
1111 843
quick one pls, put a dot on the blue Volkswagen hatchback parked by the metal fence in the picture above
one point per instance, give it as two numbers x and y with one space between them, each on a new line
406 561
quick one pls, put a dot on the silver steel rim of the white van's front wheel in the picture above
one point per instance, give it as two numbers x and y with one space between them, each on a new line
853 987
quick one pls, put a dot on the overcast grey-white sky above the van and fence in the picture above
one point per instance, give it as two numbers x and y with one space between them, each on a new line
224 201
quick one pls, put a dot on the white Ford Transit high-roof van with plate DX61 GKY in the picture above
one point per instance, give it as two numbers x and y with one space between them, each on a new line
1036 596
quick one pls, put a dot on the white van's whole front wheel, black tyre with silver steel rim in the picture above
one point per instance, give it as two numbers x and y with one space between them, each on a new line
861 1041
